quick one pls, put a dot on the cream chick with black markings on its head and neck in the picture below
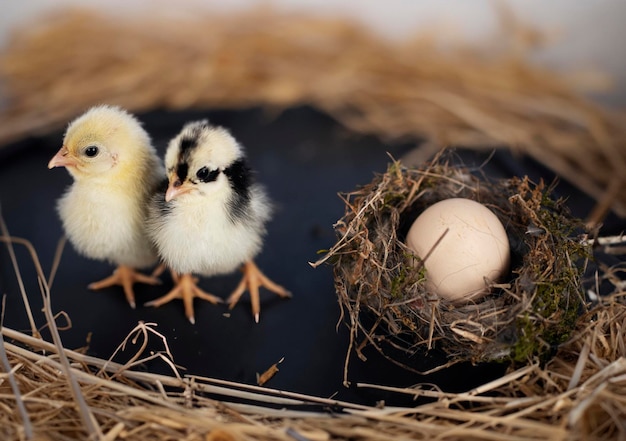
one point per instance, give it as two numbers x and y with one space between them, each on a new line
209 218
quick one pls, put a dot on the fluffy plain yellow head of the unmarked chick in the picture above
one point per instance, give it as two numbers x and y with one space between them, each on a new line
105 143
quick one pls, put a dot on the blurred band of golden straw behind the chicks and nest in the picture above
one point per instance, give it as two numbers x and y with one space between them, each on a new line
481 99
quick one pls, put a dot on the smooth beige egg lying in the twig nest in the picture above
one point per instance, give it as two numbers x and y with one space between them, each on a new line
464 247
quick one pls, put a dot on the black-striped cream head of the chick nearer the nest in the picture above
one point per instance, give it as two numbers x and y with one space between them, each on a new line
204 160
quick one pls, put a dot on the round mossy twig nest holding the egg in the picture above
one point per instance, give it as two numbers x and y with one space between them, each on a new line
389 301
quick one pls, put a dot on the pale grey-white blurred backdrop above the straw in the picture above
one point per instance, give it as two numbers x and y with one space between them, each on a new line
589 34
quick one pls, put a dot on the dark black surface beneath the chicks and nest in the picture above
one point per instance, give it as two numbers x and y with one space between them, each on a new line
304 159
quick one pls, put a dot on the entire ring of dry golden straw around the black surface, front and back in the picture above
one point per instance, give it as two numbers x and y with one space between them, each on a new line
52 72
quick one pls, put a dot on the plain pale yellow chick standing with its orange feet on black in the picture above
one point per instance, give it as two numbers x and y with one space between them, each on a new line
116 170
